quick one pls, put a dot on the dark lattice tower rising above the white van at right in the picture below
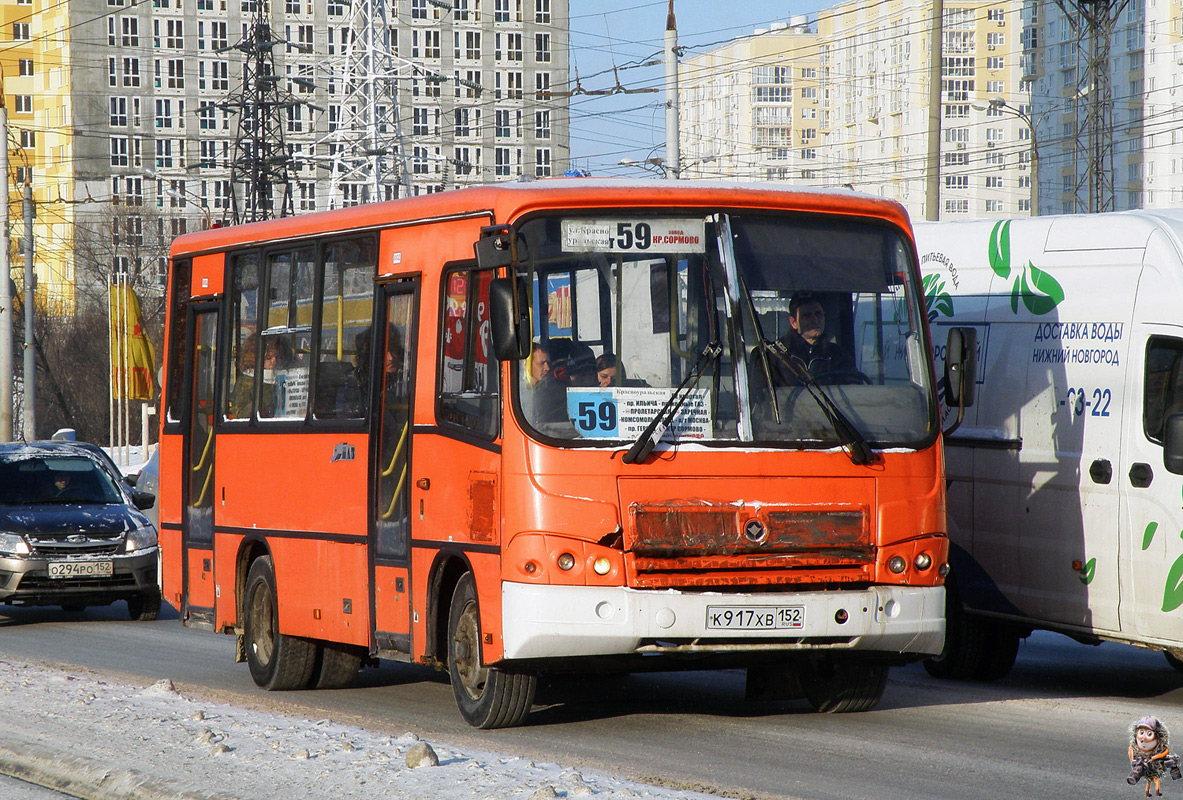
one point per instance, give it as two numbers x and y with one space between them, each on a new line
1095 22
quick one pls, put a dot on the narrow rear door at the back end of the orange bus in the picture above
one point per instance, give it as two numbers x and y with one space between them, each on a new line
198 528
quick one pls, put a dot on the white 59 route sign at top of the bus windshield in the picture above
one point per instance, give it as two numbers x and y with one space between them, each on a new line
635 236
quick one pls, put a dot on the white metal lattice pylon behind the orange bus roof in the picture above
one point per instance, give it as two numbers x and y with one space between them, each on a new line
367 154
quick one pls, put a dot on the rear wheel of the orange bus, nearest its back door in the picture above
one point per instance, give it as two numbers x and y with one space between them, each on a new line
277 661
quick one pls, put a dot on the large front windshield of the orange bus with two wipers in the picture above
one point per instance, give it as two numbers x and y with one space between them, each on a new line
745 327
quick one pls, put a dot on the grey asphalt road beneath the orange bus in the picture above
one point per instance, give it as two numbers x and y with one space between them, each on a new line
1057 727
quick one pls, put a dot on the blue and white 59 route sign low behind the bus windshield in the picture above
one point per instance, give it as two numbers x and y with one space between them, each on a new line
624 412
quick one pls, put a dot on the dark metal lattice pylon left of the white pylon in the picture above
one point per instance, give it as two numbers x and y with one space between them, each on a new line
261 162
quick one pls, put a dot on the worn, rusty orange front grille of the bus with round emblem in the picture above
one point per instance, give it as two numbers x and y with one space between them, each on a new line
707 545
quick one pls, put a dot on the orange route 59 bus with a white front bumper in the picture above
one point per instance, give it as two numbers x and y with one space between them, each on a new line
542 428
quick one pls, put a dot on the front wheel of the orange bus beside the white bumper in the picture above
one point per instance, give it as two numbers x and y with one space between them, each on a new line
488 698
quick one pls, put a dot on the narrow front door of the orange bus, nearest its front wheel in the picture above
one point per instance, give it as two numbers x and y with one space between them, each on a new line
391 496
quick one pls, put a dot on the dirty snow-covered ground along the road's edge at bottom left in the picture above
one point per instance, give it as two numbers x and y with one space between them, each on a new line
156 744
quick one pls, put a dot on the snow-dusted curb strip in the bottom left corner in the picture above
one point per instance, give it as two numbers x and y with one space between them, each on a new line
86 778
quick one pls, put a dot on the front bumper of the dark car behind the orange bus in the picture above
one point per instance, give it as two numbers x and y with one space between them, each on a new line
27 580
